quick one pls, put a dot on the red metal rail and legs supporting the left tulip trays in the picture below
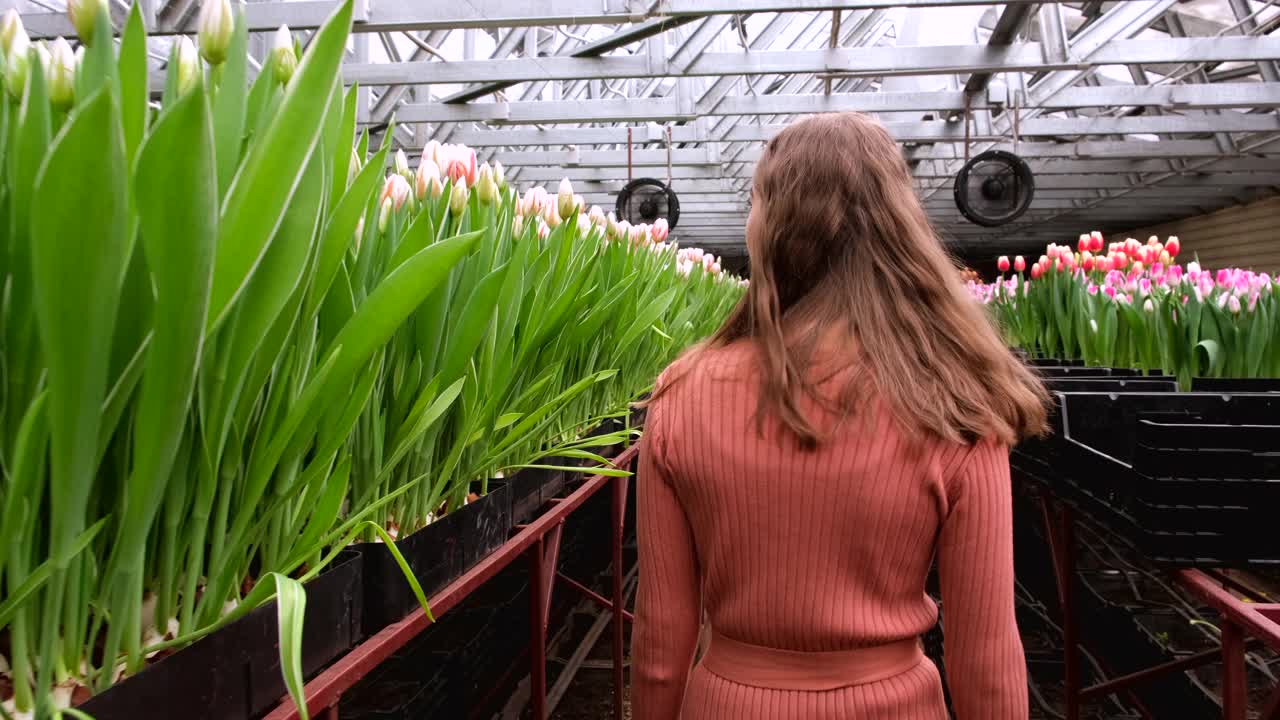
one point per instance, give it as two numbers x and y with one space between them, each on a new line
540 544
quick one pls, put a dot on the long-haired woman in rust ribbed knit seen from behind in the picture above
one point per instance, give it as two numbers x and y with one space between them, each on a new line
801 472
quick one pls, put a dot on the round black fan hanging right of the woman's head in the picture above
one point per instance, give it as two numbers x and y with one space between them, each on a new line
995 189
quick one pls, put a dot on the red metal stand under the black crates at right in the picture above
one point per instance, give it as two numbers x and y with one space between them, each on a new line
1245 627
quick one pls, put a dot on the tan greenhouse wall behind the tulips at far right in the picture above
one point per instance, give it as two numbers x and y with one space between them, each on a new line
1236 238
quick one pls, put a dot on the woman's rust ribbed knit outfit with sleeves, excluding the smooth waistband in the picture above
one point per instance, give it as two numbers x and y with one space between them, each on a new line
817 552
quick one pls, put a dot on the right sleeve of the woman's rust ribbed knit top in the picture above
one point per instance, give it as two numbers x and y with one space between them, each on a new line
985 664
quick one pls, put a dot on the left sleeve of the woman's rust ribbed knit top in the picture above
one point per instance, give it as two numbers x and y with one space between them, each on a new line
669 604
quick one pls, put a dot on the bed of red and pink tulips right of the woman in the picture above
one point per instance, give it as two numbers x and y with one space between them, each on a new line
1135 307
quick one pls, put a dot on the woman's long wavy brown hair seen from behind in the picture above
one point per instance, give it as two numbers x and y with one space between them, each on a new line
839 240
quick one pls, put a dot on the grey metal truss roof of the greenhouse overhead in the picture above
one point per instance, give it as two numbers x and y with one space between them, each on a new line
1130 112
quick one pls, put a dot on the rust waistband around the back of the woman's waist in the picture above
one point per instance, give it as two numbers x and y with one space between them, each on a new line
792 671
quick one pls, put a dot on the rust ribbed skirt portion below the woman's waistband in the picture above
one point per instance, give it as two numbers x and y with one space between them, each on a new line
916 695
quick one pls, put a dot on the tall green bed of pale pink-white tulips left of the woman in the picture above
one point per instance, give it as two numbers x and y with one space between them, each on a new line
218 375
